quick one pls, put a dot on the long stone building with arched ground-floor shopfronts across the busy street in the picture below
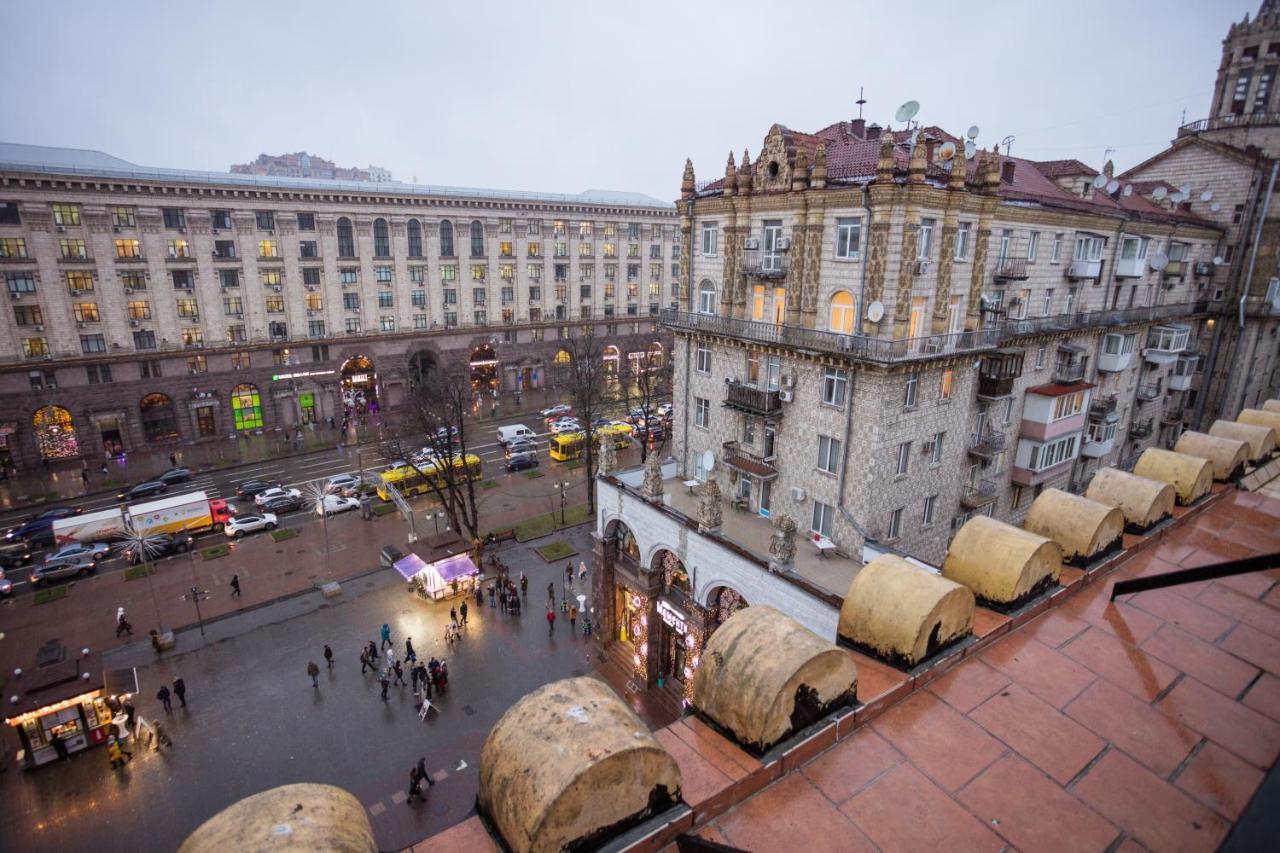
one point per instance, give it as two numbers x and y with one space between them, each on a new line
156 305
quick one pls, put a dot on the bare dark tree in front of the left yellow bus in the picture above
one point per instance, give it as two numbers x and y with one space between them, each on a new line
438 409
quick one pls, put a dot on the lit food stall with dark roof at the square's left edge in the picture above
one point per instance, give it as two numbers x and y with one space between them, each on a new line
70 696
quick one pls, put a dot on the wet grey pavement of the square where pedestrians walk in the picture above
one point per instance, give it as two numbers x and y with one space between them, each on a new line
255 722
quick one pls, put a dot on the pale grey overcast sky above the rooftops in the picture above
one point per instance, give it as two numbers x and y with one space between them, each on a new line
560 97
